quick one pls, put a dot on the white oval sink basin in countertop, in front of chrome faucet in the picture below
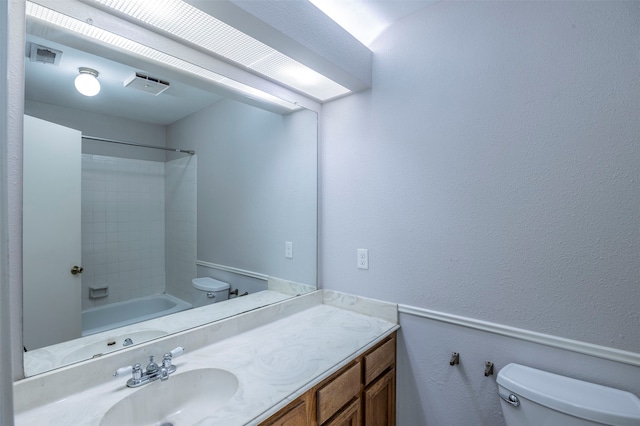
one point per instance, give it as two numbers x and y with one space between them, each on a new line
184 399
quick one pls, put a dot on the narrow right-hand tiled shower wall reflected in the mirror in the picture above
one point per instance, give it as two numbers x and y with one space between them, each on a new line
180 229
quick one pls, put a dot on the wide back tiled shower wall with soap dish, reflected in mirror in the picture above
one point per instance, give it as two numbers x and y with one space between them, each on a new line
123 228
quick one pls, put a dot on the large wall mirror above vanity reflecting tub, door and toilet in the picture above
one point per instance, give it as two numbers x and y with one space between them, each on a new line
115 234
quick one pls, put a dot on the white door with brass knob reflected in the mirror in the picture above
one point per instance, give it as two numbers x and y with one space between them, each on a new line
51 233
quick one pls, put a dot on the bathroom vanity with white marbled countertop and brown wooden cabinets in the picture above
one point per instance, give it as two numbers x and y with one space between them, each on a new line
324 358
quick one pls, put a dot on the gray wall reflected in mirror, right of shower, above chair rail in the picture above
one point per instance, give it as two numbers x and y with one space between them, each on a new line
256 187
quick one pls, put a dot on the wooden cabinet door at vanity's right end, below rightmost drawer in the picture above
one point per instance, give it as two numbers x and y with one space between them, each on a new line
380 401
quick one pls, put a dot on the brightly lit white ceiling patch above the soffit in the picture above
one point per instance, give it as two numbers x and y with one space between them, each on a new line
366 19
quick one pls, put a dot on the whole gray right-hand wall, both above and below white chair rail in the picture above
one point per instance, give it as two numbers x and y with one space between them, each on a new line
492 172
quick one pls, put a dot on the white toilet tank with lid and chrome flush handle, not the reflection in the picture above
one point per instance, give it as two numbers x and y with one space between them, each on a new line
531 397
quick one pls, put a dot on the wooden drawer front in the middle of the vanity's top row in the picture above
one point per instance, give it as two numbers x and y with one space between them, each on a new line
334 395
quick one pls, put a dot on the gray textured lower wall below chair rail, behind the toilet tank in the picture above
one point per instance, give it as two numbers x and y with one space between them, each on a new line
430 392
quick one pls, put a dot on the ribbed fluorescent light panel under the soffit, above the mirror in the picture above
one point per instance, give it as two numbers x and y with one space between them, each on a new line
195 26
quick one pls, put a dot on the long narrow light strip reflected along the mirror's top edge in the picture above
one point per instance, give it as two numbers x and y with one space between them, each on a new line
75 25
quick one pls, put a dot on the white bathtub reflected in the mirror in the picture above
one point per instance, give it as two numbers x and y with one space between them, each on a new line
114 315
